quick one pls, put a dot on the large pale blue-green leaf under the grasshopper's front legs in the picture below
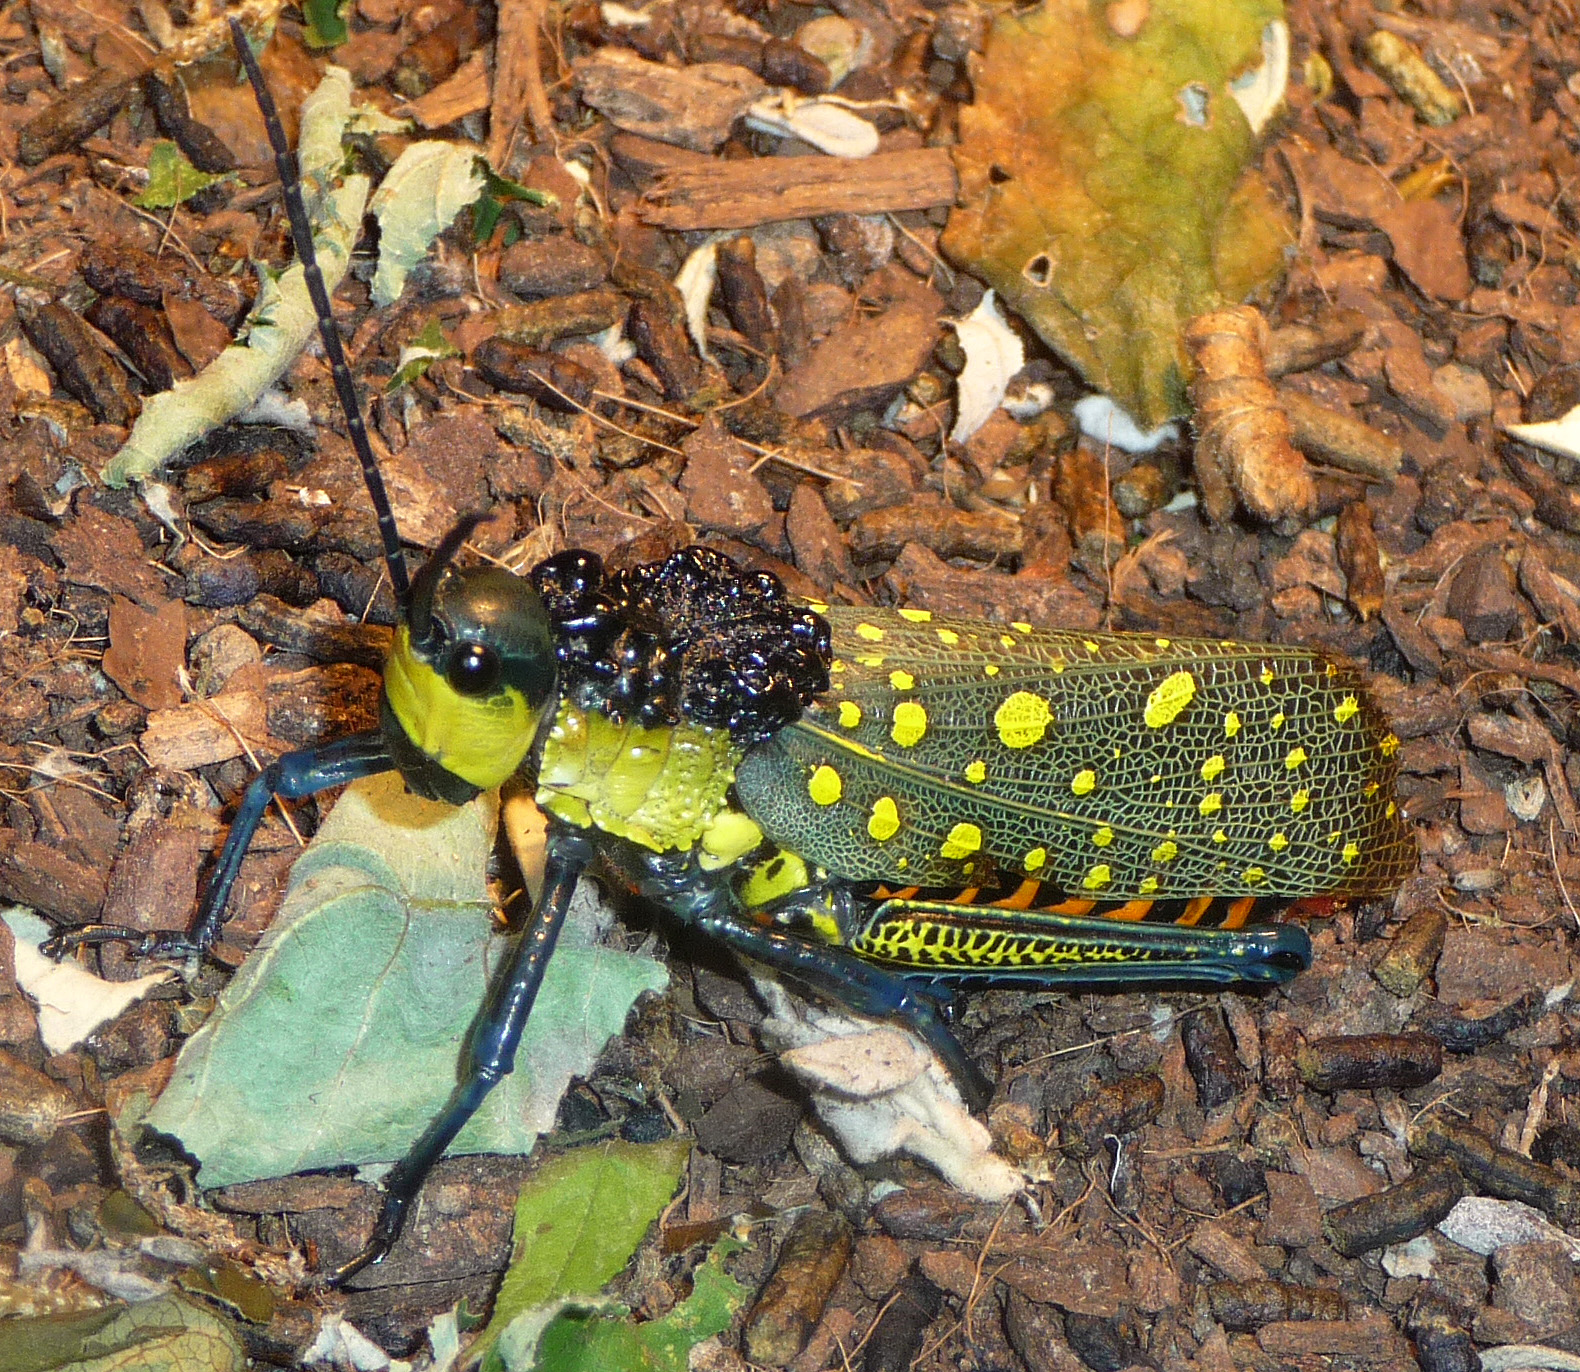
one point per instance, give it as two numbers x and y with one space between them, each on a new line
342 1036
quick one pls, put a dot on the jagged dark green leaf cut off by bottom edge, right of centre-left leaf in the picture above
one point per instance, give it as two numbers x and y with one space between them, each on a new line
574 1343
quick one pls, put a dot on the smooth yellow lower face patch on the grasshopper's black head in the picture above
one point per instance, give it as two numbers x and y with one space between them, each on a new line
481 741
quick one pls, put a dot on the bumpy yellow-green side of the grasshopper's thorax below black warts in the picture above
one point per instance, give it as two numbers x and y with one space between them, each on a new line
666 788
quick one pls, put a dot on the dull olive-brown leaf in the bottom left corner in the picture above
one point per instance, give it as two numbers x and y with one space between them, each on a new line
165 1335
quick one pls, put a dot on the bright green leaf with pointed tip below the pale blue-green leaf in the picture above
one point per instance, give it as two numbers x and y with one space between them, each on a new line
579 1221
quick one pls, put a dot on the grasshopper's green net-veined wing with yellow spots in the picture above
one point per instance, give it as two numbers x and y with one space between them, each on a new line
1115 766
